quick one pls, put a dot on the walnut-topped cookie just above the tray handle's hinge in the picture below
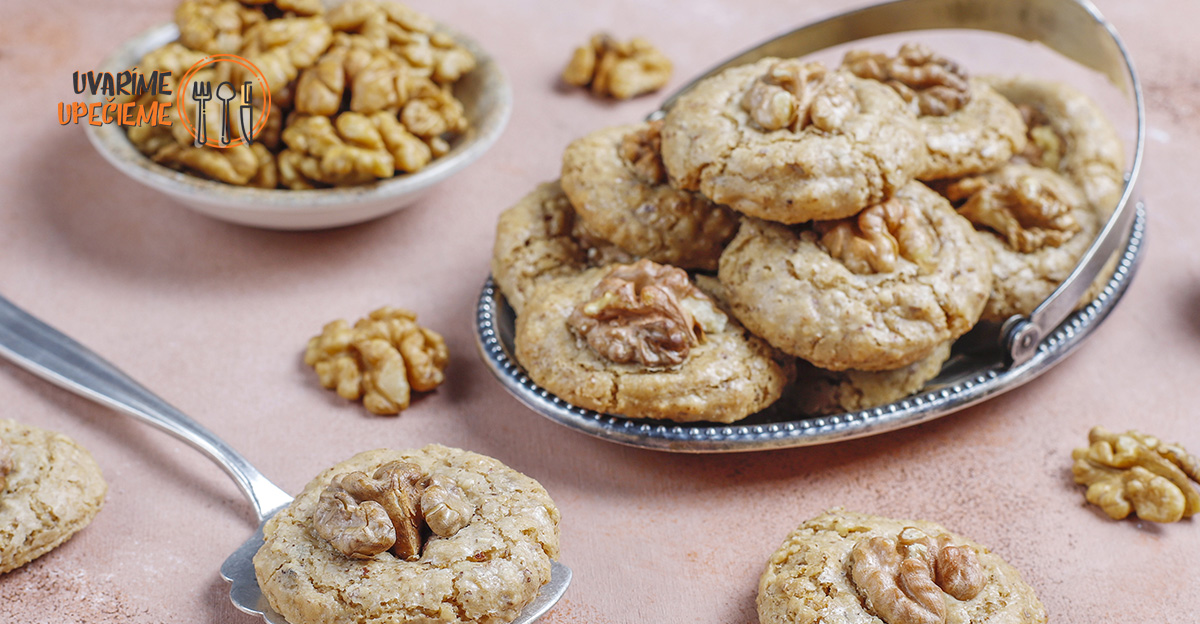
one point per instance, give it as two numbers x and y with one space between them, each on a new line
1037 226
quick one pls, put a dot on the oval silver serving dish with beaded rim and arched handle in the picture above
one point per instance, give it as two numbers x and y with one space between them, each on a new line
987 362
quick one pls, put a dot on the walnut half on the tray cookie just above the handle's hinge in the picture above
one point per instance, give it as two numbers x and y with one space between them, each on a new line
1031 208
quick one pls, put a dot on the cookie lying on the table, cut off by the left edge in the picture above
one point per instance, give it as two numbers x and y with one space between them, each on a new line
50 490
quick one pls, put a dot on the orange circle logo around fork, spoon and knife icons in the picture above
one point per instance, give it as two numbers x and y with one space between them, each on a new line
213 101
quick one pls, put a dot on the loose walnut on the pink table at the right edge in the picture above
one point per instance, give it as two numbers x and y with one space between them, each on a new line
1137 473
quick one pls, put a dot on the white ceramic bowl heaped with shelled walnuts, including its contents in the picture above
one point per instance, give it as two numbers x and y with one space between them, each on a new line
289 115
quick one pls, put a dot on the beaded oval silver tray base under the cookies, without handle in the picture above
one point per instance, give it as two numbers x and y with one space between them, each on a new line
977 371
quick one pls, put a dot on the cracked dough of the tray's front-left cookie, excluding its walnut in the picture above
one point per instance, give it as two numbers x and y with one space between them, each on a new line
727 377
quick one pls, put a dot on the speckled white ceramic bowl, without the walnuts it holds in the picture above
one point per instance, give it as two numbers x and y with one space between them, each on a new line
484 93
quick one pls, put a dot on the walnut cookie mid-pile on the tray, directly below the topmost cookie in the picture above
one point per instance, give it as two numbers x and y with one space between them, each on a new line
872 293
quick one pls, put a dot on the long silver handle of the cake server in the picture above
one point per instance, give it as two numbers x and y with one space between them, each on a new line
52 356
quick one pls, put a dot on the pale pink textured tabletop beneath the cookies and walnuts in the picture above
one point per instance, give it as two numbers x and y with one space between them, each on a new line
214 317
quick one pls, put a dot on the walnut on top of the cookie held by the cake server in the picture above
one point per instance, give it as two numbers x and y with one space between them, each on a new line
363 517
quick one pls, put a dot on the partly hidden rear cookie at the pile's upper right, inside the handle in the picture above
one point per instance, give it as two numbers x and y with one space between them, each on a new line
1070 135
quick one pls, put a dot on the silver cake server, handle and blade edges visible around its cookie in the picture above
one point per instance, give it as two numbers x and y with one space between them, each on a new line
52 356
